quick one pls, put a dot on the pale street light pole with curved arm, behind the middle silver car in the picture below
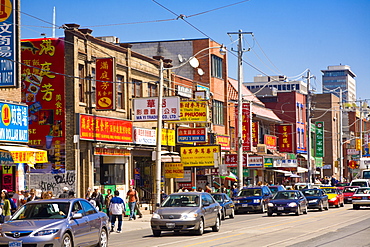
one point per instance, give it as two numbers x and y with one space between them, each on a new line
193 61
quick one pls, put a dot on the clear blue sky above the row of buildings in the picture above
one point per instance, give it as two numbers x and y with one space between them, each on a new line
290 36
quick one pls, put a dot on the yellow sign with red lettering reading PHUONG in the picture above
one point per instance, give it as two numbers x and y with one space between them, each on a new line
193 111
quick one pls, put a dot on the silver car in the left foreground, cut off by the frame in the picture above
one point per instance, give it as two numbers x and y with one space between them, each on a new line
56 222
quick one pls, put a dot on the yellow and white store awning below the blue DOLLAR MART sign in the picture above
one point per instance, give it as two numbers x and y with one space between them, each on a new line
24 154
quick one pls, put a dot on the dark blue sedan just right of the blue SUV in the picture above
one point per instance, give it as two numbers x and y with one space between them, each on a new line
288 201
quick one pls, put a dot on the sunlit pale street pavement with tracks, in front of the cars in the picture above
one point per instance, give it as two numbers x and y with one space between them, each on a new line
336 227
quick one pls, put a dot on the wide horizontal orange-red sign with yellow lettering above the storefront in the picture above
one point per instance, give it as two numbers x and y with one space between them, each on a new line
105 129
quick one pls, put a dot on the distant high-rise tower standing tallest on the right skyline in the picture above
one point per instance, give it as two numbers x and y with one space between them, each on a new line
340 76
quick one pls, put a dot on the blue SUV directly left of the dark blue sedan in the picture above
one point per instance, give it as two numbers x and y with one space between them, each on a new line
253 199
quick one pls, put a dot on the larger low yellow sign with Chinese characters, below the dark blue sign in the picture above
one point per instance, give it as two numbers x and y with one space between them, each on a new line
200 155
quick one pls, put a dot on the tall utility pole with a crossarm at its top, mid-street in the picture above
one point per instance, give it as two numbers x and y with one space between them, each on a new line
240 108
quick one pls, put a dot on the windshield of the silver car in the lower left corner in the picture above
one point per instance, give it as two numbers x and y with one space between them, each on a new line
55 210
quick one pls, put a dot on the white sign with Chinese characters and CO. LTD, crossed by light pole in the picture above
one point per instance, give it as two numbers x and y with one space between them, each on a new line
145 109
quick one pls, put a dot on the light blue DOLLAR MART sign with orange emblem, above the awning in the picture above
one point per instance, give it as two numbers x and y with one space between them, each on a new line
13 123
